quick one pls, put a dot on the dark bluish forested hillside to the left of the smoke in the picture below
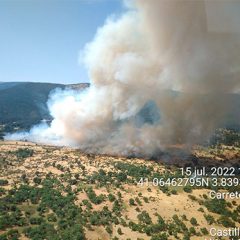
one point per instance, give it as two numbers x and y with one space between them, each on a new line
24 104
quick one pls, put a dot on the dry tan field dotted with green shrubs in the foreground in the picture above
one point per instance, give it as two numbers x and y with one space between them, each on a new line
61 193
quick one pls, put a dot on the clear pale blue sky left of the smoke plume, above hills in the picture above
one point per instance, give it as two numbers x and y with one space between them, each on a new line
40 40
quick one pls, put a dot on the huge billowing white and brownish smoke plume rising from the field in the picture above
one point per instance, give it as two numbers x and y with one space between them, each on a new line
156 48
